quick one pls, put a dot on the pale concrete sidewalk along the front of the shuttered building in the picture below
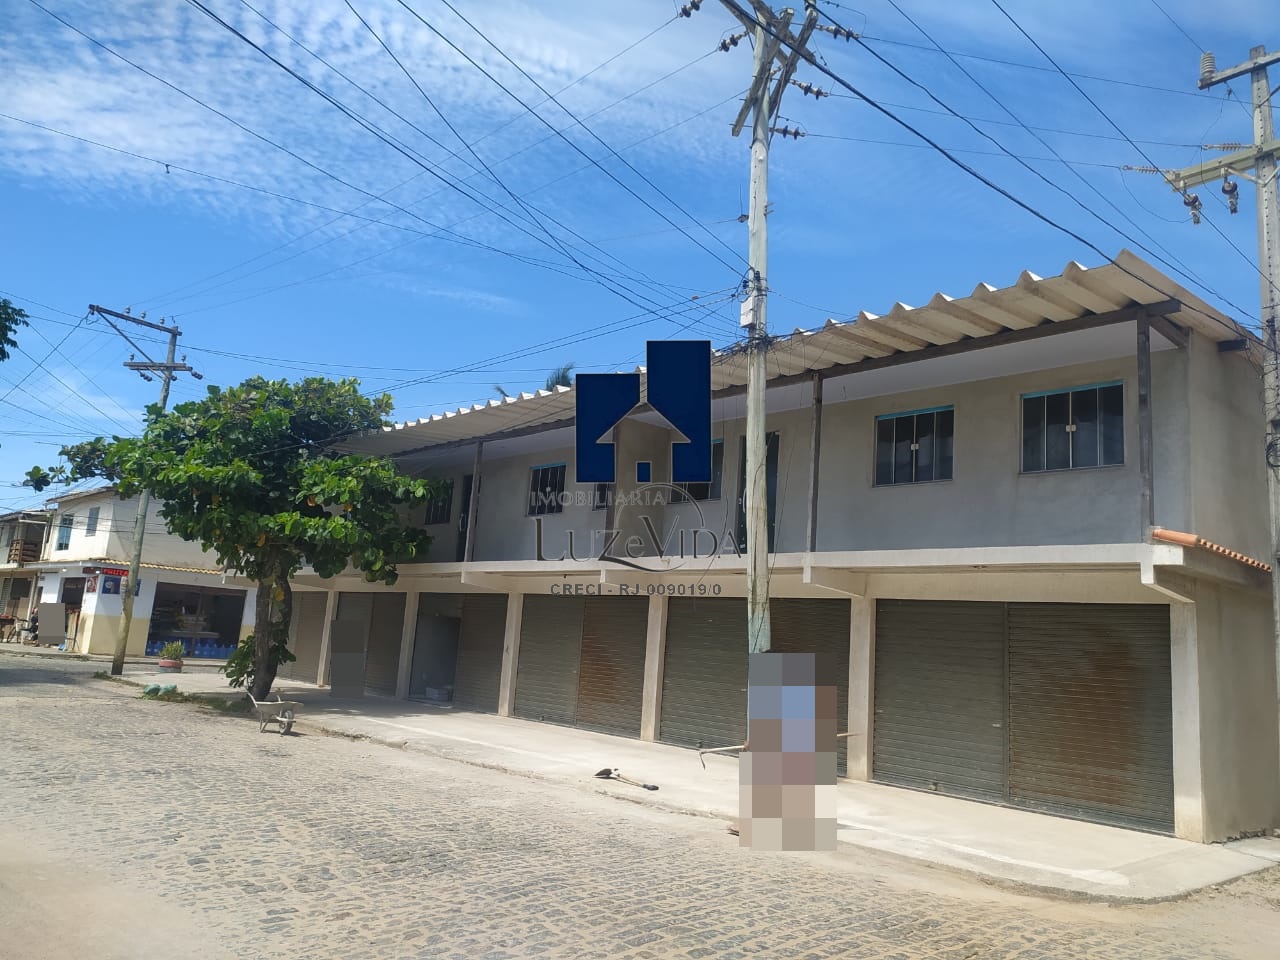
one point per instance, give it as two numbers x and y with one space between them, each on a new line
1049 853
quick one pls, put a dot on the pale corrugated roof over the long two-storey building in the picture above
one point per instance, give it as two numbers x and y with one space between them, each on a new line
1031 301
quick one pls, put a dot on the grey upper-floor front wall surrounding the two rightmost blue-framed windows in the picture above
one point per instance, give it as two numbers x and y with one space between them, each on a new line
990 501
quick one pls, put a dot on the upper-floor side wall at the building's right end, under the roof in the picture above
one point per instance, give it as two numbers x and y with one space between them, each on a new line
1227 431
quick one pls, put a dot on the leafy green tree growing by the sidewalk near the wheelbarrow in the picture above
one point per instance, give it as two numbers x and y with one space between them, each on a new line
253 473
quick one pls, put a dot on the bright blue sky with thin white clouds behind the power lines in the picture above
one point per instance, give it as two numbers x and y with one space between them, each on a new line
496 237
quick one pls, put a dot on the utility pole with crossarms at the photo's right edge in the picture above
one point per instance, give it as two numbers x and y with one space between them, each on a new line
1261 159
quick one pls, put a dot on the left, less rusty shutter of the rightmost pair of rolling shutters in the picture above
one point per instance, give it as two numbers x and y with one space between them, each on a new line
940 697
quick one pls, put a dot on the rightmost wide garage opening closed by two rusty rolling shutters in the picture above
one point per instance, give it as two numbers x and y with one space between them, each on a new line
1058 707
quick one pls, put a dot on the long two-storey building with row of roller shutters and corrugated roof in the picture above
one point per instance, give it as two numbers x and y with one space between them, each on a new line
1000 516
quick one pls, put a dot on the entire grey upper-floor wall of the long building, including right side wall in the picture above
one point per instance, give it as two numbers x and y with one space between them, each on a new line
1208 464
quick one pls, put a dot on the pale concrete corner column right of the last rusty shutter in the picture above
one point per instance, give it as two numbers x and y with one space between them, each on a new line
1188 767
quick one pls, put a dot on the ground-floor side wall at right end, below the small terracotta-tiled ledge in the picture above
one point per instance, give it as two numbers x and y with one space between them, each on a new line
1240 743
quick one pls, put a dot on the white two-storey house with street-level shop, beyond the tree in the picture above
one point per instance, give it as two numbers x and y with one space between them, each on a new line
182 595
